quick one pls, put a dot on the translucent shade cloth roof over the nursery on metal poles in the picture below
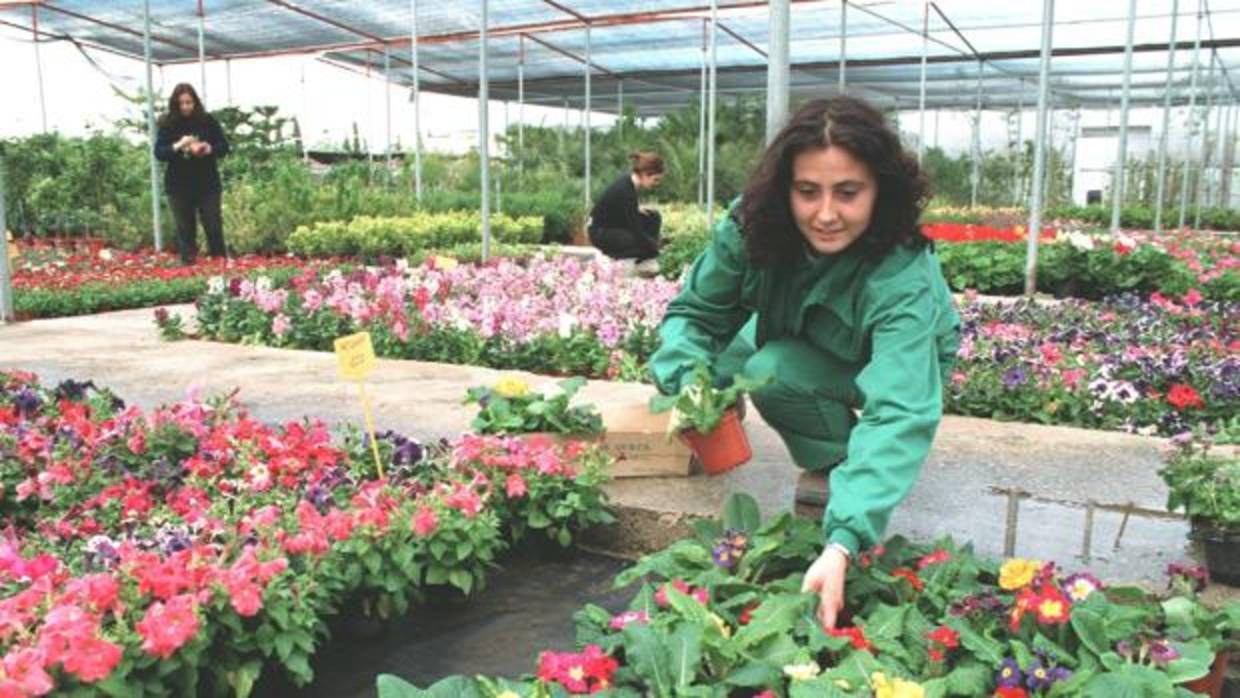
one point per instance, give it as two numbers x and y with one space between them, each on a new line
653 50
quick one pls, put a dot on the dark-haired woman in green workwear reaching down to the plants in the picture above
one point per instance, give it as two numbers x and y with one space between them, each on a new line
820 278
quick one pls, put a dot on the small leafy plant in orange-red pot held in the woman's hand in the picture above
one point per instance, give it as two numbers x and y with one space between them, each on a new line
709 420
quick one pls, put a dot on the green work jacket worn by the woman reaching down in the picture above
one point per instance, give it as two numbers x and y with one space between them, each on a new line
893 319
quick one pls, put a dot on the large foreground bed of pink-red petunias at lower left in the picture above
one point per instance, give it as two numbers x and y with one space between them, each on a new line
179 552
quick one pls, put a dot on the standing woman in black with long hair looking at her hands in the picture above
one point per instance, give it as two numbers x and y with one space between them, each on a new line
190 141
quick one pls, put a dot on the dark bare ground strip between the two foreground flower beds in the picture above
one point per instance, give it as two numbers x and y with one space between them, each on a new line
528 607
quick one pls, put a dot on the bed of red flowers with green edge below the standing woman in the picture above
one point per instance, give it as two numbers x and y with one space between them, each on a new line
87 277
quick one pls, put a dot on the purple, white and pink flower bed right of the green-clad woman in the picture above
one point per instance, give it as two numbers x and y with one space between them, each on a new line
1158 368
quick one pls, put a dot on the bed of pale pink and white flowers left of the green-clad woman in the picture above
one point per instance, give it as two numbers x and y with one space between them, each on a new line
547 316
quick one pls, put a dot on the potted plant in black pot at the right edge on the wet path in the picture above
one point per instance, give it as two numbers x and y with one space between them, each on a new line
1206 483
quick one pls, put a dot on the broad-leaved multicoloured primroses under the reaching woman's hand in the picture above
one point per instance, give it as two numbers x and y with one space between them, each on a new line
724 616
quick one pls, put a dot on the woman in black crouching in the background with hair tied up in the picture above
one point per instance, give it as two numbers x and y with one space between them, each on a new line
618 226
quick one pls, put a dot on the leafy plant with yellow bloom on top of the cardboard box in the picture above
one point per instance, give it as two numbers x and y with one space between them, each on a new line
510 407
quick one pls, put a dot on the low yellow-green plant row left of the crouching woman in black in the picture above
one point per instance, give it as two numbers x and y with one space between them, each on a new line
373 237
